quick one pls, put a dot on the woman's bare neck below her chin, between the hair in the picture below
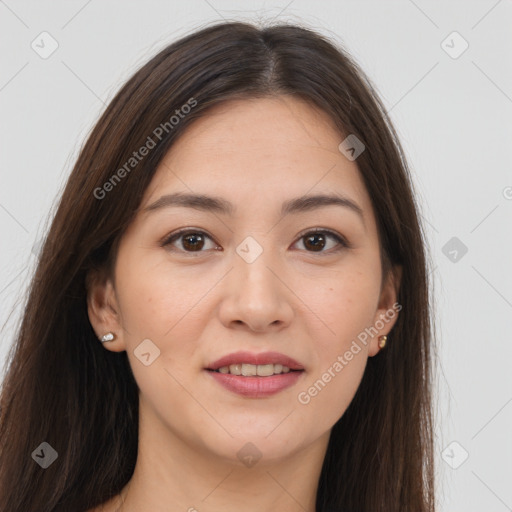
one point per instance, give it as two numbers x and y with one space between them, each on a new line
174 473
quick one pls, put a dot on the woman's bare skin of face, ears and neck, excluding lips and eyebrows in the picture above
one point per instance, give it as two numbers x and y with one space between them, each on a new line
197 303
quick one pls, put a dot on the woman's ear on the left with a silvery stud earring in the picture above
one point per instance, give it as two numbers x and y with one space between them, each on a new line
103 309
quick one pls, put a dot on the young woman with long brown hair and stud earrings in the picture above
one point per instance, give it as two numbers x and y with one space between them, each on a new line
231 306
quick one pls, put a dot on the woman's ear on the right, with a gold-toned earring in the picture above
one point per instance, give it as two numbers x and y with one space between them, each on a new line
388 307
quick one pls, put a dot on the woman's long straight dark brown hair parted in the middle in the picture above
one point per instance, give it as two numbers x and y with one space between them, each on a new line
62 387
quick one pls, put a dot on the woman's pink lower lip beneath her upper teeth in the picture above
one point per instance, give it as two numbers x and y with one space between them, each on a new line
256 387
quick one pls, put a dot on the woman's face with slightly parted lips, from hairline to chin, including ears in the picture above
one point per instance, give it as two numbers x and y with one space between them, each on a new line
249 275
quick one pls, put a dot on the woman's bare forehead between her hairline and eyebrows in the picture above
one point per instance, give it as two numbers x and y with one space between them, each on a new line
259 150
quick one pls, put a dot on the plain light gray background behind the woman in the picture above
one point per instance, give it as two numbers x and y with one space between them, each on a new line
452 114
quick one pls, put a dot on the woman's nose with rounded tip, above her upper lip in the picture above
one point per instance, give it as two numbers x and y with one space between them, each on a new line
256 297
